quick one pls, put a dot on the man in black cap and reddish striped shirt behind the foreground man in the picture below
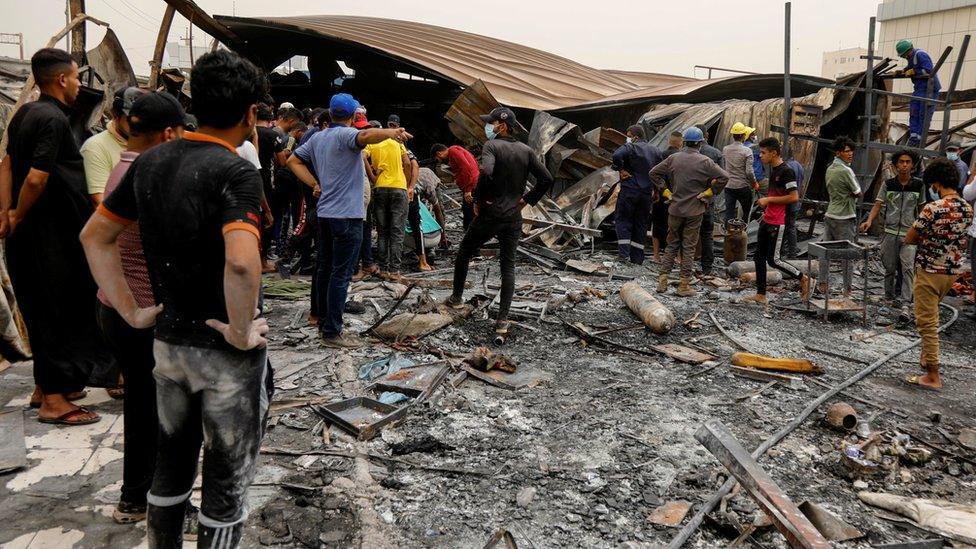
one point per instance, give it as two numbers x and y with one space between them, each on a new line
153 119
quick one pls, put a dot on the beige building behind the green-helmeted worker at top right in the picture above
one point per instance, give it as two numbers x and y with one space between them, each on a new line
931 25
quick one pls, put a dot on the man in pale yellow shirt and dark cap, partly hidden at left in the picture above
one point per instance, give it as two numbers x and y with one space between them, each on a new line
101 152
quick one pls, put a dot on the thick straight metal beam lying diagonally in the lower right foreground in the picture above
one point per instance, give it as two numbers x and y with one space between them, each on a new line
781 510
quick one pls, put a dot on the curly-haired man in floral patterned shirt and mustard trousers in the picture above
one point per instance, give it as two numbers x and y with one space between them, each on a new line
940 236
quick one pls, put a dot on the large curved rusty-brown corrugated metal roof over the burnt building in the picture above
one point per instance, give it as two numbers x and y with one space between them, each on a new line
516 75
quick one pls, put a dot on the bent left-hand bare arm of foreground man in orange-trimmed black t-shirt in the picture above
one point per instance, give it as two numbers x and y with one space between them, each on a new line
99 238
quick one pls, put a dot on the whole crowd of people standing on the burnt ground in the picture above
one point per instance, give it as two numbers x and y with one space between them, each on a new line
180 214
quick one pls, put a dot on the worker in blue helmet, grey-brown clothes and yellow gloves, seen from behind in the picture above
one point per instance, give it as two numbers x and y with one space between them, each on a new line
689 179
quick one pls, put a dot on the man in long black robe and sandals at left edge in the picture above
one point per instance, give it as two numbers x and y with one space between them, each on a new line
43 205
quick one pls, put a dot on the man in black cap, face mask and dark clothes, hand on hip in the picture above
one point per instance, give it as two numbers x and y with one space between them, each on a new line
498 201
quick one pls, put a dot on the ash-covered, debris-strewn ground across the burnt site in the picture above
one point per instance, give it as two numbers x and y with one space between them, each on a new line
584 458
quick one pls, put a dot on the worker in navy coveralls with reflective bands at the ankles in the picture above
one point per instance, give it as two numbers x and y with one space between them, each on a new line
634 159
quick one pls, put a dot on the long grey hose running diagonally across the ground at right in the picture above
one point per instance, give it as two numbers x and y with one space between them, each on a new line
682 537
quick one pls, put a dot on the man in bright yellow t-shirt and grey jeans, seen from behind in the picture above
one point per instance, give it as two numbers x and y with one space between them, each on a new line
388 165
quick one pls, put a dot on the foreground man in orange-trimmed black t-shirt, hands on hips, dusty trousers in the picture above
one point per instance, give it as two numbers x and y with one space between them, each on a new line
198 208
